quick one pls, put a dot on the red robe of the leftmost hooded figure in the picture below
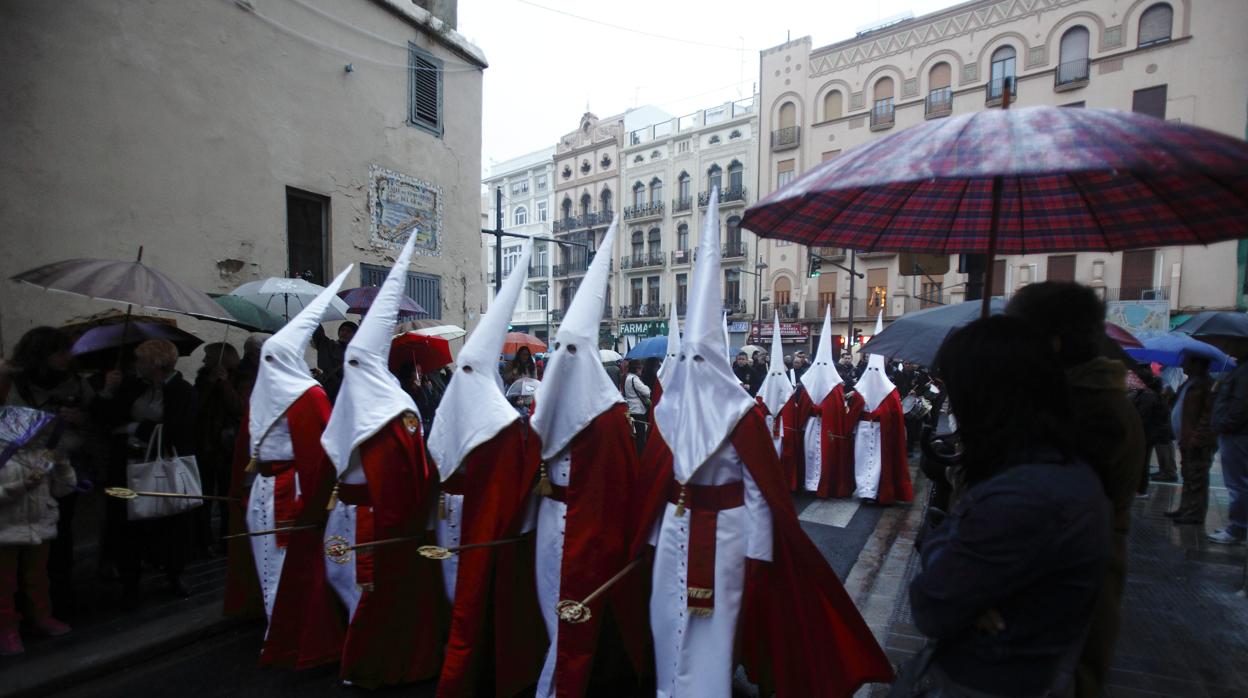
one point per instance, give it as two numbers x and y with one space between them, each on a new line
308 625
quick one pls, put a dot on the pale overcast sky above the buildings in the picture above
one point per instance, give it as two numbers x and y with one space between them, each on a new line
548 59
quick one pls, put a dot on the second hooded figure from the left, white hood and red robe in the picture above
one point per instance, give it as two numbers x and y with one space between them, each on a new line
385 489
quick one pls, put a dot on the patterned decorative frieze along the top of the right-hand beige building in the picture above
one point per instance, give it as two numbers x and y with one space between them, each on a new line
942 28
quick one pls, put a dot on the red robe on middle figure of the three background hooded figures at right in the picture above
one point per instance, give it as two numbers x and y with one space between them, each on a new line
837 471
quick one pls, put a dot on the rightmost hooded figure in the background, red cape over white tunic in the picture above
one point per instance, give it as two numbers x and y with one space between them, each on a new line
880 469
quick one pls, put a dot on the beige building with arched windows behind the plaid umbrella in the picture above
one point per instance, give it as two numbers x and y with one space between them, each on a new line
1180 61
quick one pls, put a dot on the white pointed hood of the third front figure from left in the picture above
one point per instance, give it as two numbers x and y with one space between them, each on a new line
475 409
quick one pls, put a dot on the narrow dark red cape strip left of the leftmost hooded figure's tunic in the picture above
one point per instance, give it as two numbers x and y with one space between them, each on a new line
244 599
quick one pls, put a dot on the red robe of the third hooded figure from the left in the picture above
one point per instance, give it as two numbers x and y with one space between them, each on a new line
495 586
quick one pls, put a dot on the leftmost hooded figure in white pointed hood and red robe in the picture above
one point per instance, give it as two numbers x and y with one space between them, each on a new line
289 411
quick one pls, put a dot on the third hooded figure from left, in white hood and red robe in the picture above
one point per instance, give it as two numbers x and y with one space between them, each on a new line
487 461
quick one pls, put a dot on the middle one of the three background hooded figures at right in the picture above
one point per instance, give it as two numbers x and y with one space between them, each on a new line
828 433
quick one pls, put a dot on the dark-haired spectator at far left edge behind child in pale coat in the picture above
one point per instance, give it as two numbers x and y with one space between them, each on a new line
42 376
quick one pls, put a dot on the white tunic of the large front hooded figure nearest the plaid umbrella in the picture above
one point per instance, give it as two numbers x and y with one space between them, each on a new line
695 654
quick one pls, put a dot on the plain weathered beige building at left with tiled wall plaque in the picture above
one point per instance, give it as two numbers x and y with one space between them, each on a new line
238 142
